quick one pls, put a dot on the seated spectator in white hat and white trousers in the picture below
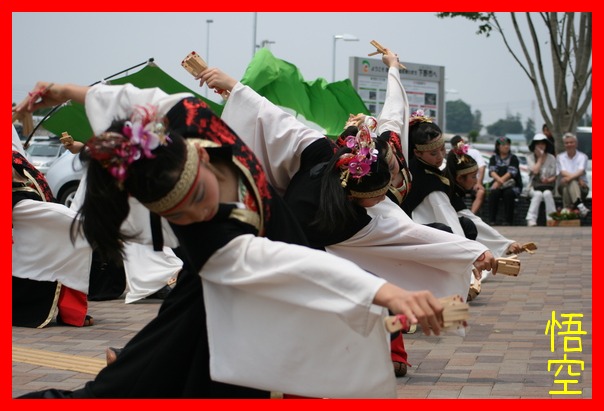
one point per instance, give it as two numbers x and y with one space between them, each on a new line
542 171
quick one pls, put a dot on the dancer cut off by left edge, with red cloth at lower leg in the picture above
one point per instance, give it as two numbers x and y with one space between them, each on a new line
50 274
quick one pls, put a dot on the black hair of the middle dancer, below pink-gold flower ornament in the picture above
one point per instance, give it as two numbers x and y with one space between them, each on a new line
336 209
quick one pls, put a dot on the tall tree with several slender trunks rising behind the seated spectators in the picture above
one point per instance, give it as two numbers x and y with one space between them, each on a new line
565 98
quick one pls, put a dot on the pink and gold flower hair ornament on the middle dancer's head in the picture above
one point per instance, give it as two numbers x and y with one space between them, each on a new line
357 163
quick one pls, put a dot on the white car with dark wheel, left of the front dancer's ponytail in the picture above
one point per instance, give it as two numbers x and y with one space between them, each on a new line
64 177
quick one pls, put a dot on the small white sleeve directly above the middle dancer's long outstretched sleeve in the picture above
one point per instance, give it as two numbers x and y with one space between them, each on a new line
436 208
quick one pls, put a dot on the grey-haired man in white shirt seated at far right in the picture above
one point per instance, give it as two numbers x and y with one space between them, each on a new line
571 166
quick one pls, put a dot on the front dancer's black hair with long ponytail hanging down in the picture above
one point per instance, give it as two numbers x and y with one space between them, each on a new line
105 205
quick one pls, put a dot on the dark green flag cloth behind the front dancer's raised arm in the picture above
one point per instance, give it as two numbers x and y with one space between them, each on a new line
72 117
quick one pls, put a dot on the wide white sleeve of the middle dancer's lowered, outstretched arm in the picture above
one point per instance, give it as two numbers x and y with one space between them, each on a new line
411 255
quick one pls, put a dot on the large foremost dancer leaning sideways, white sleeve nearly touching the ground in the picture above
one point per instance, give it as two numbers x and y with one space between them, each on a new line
248 314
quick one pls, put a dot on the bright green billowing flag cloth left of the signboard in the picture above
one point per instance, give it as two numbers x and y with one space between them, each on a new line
326 104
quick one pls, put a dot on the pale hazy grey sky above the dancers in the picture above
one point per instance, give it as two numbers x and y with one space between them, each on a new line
83 48
